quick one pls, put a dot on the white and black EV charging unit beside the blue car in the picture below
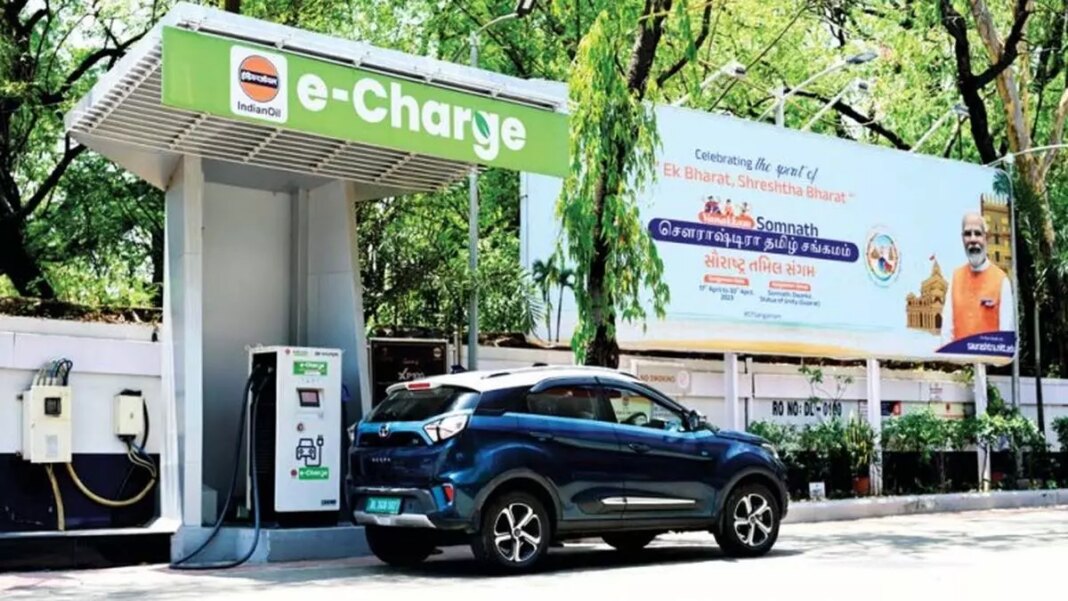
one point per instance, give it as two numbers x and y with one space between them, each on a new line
296 432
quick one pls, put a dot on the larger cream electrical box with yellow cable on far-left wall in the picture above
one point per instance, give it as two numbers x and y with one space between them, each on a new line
46 425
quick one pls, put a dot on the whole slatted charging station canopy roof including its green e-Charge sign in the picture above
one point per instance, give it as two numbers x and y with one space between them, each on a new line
208 84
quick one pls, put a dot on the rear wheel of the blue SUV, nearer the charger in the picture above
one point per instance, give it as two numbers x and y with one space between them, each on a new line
514 534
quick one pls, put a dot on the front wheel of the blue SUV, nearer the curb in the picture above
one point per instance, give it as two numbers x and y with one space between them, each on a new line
749 526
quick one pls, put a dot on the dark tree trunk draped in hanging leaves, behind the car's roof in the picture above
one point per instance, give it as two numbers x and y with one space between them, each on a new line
603 349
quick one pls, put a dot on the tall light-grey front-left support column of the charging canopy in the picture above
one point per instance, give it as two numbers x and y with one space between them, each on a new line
184 313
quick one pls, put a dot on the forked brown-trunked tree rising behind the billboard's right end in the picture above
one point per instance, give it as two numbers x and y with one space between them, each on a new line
1024 89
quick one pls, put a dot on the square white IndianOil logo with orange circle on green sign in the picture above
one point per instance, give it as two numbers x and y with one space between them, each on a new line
258 88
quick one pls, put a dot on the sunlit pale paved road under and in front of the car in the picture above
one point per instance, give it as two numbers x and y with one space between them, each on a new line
994 556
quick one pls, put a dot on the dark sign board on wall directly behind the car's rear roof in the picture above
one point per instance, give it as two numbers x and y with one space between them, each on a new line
403 360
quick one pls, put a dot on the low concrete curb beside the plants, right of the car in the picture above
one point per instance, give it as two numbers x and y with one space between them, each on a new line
884 507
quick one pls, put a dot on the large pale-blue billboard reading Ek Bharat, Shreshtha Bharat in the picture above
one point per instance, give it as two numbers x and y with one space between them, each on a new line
787 243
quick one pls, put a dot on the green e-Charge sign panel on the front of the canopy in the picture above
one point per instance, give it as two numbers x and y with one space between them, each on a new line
252 83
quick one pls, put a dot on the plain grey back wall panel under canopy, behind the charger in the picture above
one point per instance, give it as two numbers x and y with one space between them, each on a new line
247 296
